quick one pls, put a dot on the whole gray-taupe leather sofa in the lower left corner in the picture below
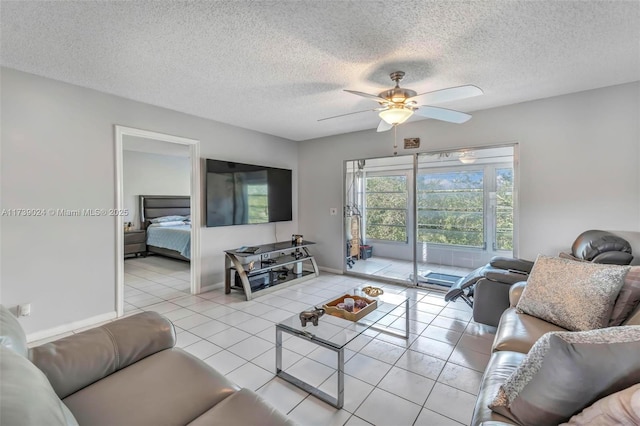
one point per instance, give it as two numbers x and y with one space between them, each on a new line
126 372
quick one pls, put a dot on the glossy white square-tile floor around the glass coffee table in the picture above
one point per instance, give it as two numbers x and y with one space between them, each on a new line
431 379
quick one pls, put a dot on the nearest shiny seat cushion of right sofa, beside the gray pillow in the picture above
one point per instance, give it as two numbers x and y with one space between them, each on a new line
500 367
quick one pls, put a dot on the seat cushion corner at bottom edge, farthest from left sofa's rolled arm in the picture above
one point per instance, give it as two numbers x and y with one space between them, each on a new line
242 408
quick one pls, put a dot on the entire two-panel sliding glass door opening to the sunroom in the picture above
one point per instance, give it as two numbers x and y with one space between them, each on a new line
427 218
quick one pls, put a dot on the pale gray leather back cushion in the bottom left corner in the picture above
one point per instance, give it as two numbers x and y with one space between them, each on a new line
27 396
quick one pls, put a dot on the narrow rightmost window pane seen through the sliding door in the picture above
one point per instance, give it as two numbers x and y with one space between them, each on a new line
504 209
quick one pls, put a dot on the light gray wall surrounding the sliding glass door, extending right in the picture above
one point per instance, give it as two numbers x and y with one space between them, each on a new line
579 167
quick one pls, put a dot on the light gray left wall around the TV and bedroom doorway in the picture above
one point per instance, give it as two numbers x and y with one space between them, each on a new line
58 152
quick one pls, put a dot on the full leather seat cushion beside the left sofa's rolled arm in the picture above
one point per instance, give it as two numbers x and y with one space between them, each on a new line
170 387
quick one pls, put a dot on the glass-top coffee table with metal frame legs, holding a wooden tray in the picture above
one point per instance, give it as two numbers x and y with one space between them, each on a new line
335 333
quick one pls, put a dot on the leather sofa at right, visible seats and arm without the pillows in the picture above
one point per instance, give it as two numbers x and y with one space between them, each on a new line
515 335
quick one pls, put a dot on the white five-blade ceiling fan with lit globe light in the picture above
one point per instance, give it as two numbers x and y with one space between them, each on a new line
398 104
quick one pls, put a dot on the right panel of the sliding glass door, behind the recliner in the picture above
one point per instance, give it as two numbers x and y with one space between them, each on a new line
465 210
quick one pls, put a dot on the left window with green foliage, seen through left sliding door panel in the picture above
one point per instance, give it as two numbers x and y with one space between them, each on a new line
386 208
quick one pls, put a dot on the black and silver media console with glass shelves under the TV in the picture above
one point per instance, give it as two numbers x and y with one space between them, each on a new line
267 267
